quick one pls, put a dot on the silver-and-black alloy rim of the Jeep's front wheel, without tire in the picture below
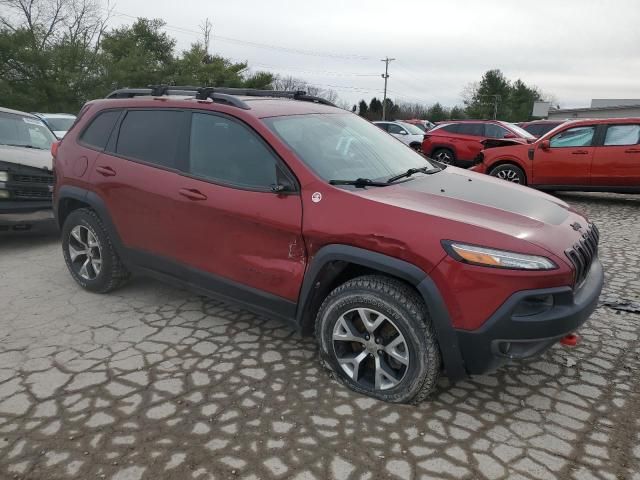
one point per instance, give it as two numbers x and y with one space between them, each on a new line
370 349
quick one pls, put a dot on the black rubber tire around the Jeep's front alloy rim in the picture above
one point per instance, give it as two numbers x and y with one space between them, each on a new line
407 312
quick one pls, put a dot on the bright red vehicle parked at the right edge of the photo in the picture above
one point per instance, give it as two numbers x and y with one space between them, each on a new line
599 155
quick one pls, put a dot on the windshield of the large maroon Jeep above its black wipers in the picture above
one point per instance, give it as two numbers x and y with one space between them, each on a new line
344 146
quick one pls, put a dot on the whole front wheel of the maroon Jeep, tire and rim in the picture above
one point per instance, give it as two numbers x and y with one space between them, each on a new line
376 336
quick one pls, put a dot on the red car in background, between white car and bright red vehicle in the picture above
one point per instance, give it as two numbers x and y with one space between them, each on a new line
459 142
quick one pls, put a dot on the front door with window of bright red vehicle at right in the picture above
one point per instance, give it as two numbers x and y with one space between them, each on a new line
568 159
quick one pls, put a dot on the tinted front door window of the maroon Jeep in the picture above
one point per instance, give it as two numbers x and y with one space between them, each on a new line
227 151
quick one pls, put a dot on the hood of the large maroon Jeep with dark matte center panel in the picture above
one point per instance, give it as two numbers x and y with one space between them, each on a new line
462 196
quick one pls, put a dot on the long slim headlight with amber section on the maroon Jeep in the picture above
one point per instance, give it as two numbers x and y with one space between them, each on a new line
489 257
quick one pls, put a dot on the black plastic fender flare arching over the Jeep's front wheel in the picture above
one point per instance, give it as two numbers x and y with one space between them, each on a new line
323 268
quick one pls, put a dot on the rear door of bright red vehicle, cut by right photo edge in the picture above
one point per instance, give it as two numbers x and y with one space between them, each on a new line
616 162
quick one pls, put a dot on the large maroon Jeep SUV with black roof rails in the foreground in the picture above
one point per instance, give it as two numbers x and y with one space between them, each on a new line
303 212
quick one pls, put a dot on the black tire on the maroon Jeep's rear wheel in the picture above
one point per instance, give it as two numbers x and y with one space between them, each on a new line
112 273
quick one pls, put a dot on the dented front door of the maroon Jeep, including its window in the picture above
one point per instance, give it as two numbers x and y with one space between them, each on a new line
237 231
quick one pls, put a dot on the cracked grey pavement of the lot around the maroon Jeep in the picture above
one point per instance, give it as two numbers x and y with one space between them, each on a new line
154 382
